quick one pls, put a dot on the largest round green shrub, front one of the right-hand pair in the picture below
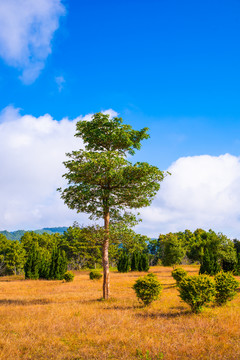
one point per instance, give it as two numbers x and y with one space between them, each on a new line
197 291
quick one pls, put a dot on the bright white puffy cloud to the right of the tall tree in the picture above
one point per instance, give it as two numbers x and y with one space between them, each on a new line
202 192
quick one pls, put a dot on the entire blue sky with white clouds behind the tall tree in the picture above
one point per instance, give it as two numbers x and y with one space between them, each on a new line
172 66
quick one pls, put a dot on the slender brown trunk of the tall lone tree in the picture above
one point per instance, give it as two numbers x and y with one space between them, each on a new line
105 260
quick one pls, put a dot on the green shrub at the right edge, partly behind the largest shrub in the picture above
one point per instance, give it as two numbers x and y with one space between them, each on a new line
226 286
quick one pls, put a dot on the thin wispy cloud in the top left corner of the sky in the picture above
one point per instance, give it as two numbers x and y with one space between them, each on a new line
26 31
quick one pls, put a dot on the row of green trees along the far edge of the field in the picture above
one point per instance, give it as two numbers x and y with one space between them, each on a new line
81 247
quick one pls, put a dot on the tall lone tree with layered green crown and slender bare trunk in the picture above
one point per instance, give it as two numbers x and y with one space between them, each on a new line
102 182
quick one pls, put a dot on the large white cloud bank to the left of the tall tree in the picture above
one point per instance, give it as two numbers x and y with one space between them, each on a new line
32 152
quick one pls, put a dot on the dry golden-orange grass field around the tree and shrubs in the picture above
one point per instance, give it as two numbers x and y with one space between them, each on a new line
68 321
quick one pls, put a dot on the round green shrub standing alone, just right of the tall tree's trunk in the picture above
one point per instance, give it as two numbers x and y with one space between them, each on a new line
147 288
